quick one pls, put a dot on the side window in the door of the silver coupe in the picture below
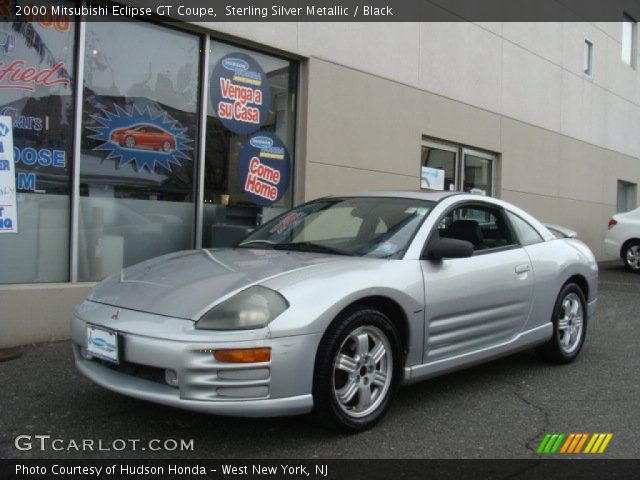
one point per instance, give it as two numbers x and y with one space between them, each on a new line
483 226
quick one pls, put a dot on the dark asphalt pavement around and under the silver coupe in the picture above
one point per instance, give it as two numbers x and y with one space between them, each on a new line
501 409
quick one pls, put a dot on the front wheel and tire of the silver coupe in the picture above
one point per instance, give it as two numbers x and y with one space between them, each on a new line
357 371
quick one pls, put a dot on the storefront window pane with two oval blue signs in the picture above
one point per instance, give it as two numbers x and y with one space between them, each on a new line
249 141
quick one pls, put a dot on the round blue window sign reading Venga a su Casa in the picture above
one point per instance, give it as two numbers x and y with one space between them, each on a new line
240 93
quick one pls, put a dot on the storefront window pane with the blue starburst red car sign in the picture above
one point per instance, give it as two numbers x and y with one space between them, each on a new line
139 131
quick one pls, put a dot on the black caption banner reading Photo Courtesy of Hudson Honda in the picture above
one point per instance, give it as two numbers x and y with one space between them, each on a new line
320 469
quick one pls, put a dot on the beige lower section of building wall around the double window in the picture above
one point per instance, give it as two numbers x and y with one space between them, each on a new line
557 178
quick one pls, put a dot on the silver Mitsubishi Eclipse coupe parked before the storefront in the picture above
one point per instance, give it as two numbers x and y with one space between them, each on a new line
332 305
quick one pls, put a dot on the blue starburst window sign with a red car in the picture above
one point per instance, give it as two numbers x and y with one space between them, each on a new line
141 138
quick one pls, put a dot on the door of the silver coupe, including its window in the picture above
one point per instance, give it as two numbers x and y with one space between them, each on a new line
481 301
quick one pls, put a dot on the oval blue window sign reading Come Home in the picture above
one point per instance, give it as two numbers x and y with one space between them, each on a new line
264 169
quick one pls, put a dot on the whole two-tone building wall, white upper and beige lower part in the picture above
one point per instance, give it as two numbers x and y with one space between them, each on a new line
517 89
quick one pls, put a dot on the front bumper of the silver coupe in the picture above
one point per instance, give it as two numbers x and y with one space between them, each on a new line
279 387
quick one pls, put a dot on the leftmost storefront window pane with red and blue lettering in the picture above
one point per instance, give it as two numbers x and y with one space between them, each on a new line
36 92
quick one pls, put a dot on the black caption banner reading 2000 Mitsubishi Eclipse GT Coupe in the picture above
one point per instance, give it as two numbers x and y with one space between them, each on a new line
328 10
